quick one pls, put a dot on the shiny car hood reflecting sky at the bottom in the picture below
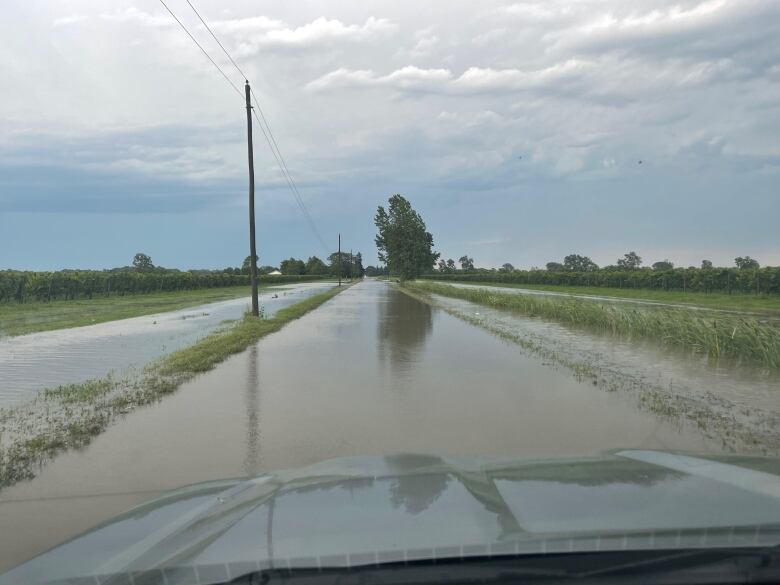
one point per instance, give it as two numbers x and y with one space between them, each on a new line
365 510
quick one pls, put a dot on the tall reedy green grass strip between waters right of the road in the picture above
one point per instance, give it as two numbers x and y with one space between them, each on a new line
724 335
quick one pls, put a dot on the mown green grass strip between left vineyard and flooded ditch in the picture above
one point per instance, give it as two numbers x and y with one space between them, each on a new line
18 319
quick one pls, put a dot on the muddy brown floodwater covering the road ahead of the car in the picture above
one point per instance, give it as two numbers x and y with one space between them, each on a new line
371 372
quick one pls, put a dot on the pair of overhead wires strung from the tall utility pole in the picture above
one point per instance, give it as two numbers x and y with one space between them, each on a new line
265 127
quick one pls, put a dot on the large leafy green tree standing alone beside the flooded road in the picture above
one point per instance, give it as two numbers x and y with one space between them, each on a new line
403 241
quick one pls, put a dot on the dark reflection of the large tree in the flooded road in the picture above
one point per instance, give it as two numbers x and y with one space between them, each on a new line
403 327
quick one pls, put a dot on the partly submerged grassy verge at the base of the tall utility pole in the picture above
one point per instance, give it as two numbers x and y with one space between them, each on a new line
70 416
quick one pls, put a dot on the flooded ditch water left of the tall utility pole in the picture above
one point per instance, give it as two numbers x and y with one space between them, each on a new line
30 363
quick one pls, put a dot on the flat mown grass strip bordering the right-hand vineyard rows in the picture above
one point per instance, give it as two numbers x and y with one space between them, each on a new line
766 304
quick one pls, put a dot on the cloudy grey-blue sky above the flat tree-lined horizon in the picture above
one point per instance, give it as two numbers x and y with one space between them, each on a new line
515 128
